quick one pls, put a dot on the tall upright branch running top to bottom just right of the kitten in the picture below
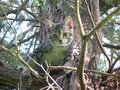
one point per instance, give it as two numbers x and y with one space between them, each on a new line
80 68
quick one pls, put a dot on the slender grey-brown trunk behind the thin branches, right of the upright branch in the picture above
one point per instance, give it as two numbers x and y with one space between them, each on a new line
96 50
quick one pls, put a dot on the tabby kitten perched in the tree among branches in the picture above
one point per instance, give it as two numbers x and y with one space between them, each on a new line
55 49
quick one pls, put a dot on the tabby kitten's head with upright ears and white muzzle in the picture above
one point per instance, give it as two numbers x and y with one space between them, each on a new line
60 34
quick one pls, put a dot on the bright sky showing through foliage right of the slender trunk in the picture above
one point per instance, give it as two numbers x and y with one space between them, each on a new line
116 27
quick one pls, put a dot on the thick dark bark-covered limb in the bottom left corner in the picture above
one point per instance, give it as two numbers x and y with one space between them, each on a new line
12 79
